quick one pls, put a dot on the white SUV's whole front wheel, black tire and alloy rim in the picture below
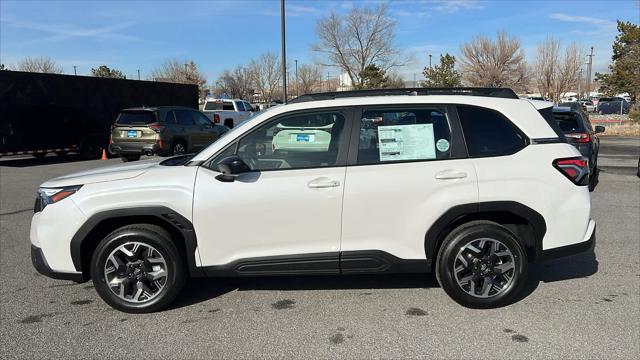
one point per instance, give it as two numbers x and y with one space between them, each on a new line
138 269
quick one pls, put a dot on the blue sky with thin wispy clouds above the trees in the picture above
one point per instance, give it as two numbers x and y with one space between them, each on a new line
218 35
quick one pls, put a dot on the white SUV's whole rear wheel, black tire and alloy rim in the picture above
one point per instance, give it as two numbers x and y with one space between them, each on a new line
481 264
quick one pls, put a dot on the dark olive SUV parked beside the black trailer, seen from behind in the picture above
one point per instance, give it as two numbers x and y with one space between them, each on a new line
164 130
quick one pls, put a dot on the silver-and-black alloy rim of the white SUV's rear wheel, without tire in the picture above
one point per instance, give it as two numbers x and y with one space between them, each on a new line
484 268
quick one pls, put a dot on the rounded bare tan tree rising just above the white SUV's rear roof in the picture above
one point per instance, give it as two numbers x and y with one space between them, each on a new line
488 63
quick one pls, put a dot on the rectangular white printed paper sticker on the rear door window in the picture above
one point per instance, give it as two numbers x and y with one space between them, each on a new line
406 142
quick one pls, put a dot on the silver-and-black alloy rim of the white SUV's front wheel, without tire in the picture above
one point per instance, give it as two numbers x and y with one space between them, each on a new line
136 272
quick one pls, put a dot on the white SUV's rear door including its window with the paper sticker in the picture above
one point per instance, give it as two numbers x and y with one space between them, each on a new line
409 168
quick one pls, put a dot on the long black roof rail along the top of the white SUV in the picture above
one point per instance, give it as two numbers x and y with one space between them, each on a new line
472 91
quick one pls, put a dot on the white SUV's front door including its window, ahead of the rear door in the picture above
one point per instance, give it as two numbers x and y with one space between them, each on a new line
285 213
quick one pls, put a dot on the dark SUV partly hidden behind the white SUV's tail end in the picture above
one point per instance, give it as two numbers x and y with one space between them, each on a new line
578 130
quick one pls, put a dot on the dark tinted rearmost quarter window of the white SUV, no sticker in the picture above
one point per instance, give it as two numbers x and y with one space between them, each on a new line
488 133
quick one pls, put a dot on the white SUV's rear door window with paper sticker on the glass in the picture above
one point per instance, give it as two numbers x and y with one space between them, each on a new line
408 134
